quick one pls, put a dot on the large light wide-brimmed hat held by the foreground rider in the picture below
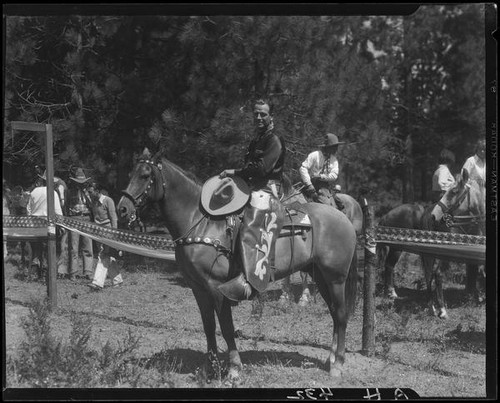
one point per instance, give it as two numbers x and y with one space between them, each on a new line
224 196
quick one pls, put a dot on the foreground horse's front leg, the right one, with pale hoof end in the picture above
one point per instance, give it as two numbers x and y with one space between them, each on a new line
227 329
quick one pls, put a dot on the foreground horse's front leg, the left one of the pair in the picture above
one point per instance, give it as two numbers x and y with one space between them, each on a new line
207 311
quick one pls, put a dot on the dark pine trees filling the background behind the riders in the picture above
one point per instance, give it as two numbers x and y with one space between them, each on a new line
396 89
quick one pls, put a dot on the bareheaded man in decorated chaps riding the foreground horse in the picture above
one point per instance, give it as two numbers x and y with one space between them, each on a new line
263 214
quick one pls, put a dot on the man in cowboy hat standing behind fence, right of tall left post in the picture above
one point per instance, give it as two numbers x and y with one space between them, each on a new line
79 206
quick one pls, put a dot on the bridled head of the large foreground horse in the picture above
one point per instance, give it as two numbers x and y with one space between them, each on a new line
146 185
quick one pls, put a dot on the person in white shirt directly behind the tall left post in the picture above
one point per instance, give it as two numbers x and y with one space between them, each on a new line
37 206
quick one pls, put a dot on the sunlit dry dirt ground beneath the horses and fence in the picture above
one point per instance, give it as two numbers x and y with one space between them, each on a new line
281 345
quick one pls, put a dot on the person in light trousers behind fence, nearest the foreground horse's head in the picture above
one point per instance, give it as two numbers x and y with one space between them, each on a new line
104 213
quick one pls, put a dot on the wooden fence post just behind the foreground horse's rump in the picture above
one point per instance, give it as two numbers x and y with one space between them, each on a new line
368 341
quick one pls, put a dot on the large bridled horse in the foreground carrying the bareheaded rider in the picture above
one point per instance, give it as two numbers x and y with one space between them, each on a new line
204 259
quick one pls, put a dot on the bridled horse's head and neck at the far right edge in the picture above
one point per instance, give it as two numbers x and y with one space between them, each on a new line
464 198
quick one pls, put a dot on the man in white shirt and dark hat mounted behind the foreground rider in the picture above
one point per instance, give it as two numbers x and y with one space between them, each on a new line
319 170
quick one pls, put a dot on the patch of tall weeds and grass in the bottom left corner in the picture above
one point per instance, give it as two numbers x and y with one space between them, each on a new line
44 361
